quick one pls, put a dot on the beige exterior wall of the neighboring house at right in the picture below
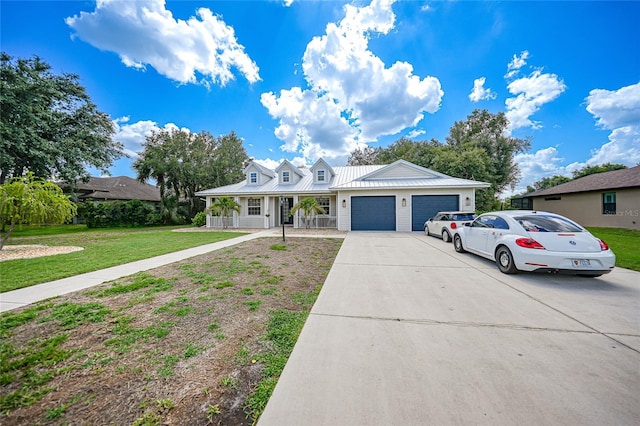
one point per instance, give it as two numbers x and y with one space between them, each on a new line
586 208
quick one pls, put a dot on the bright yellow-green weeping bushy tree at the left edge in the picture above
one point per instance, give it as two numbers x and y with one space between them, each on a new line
29 200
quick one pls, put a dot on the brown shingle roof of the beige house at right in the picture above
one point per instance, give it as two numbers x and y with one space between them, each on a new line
616 179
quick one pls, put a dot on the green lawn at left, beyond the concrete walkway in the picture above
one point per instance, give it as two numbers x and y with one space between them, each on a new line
102 249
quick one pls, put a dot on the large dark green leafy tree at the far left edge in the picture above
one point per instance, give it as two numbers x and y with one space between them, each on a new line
48 125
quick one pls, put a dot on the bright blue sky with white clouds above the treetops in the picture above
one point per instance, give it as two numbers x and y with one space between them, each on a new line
300 80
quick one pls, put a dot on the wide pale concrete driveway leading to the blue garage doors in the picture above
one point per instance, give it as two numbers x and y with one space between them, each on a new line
408 332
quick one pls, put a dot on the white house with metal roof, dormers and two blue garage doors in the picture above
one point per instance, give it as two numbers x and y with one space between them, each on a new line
394 197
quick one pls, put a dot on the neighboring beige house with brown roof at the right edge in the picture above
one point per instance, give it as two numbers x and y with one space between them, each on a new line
609 199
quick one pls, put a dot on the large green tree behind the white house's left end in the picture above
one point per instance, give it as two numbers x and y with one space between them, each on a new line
183 163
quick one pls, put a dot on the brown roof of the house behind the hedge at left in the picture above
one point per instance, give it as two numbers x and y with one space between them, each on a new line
114 188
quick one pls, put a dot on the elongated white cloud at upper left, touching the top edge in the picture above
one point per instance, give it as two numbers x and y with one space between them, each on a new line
202 49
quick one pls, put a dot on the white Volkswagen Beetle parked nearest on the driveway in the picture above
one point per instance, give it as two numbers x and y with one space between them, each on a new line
520 240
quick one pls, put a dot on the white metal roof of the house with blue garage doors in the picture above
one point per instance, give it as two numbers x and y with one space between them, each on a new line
399 175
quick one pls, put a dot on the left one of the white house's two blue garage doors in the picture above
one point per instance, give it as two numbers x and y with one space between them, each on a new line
373 213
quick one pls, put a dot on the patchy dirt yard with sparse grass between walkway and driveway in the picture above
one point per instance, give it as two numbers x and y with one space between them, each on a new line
169 351
